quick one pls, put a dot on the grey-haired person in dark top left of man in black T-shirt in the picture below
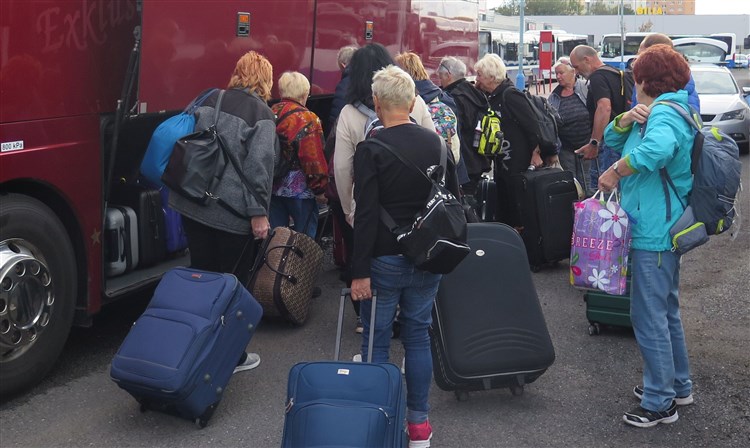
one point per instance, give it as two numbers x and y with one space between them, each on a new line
574 129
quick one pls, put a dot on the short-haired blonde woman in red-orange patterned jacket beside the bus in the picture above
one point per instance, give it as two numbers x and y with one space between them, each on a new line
297 192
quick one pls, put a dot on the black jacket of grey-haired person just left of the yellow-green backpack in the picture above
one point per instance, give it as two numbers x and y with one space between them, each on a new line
471 103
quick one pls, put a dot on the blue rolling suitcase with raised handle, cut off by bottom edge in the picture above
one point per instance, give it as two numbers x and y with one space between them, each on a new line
345 404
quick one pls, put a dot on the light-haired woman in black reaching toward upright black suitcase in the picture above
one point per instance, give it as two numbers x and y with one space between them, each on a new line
520 128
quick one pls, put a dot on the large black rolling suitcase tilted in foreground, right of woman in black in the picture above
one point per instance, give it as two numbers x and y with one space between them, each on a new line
493 334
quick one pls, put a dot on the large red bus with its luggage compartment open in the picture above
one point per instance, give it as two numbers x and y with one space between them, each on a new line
84 84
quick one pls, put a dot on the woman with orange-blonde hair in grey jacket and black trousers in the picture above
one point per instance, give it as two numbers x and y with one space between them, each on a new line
218 231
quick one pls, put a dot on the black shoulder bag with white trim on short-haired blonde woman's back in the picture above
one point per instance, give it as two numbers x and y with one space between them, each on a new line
436 240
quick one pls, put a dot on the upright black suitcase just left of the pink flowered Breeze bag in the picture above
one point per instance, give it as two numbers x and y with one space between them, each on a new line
545 202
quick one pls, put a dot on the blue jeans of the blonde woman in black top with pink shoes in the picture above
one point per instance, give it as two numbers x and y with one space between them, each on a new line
398 282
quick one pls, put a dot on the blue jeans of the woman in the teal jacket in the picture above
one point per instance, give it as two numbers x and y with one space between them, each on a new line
655 313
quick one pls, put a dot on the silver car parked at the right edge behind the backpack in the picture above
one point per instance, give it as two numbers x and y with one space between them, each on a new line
722 102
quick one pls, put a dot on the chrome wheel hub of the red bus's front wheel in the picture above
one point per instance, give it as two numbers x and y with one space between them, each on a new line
26 297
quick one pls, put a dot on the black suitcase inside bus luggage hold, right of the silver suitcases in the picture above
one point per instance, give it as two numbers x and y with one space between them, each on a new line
152 245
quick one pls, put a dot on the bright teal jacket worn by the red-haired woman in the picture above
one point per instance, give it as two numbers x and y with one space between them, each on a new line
667 142
